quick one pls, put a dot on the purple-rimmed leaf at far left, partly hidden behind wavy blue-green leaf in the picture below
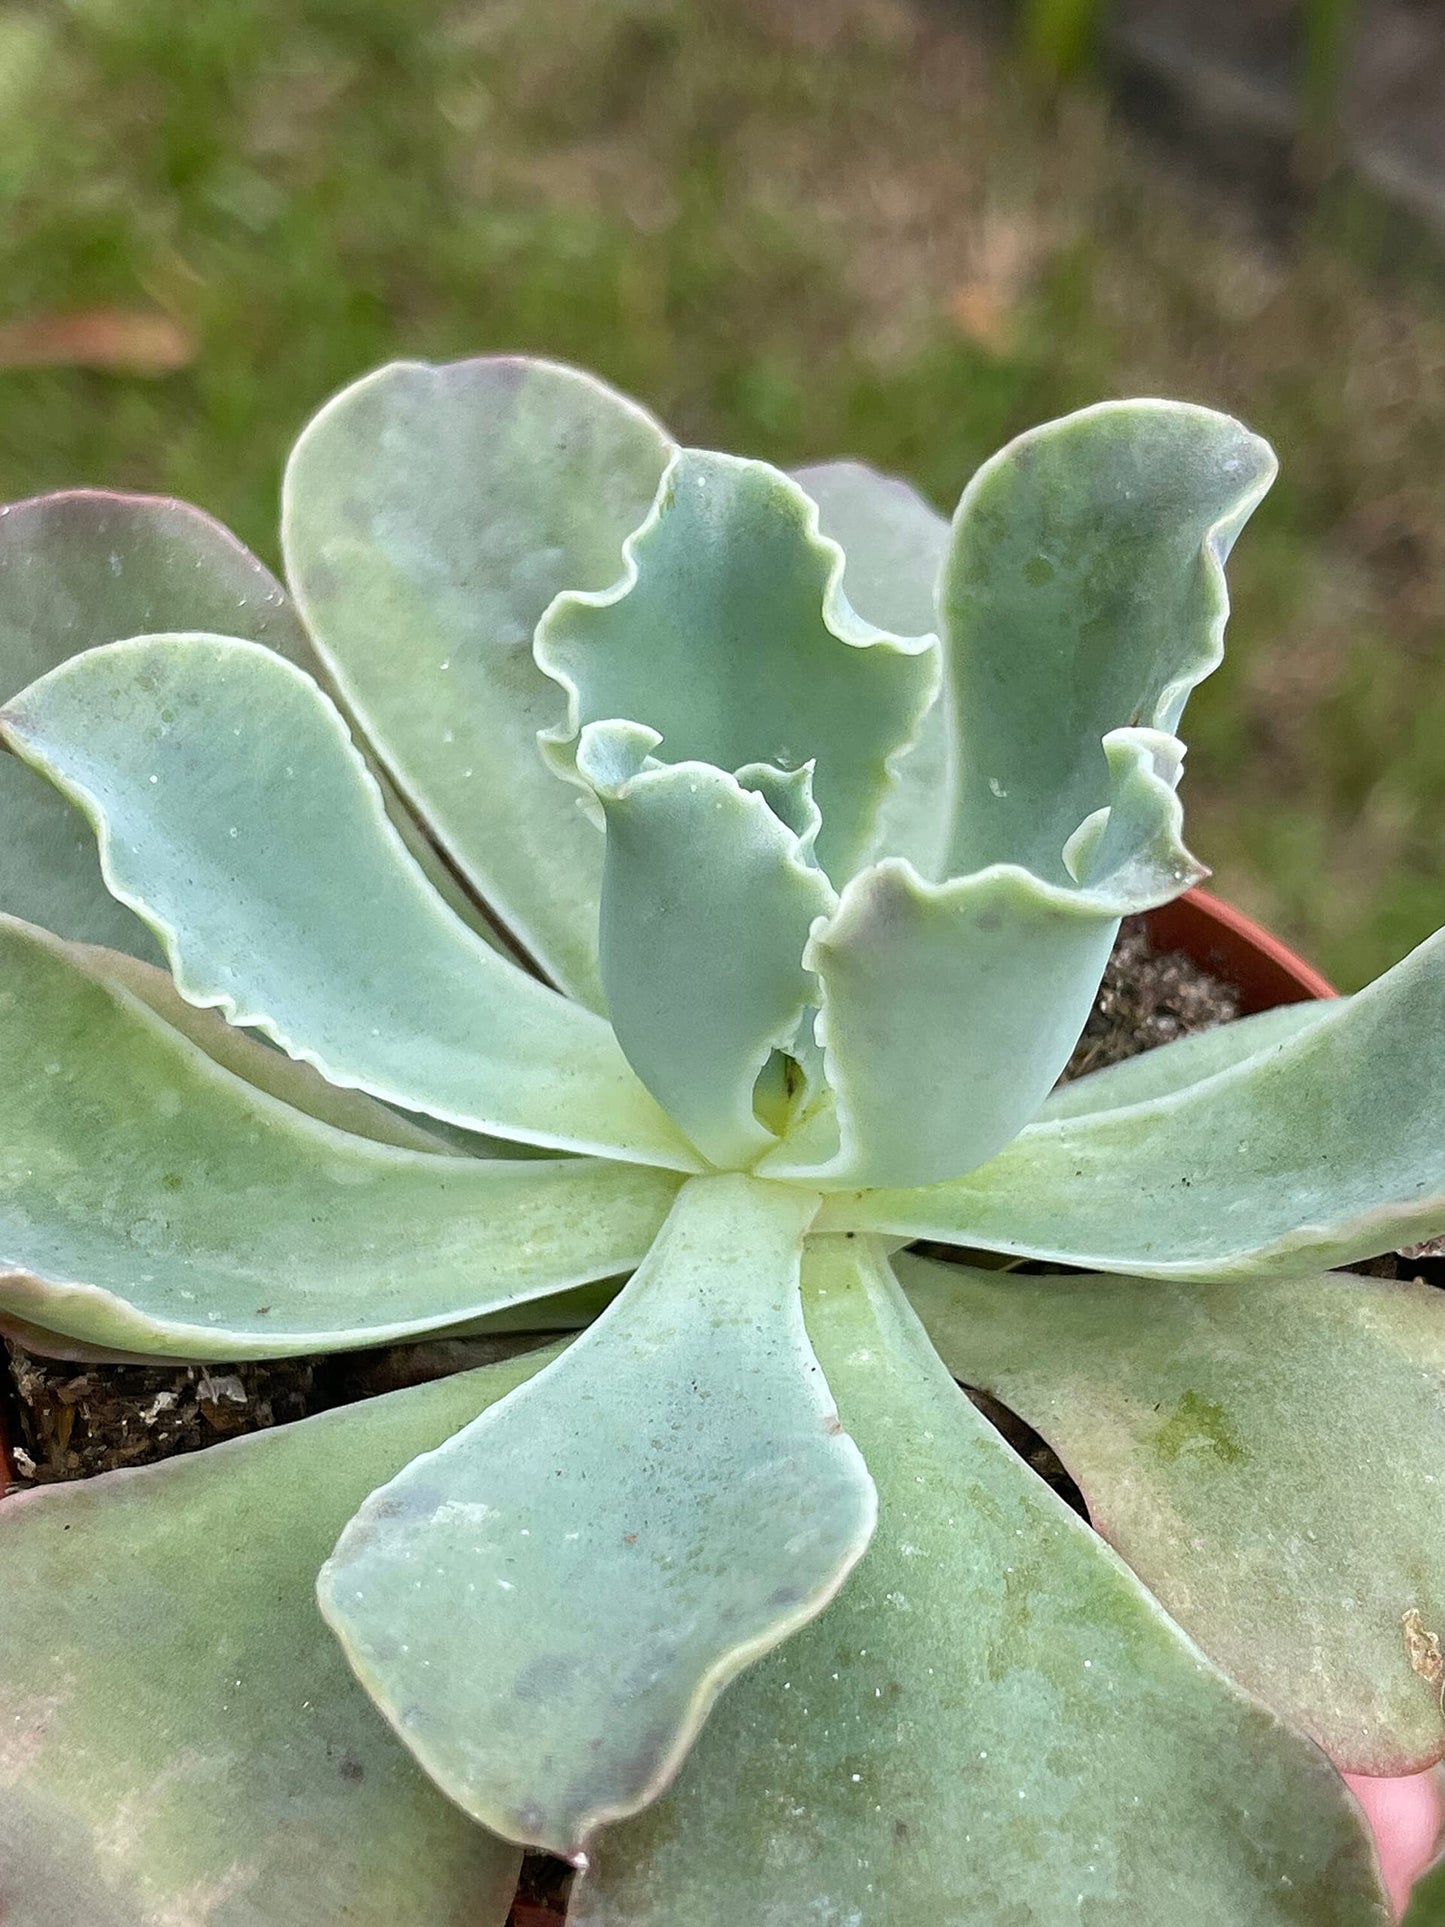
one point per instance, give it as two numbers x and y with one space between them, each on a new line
88 568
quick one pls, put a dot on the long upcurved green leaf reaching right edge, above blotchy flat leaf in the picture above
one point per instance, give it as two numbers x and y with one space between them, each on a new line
1325 1151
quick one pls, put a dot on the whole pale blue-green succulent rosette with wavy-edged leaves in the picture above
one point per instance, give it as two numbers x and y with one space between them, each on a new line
847 893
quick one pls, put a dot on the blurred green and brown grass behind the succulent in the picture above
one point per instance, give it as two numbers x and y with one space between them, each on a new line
791 226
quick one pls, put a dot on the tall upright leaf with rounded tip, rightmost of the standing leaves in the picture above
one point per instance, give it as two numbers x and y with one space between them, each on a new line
1084 593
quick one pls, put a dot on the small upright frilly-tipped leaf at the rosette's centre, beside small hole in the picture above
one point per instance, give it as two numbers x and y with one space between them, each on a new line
708 899
